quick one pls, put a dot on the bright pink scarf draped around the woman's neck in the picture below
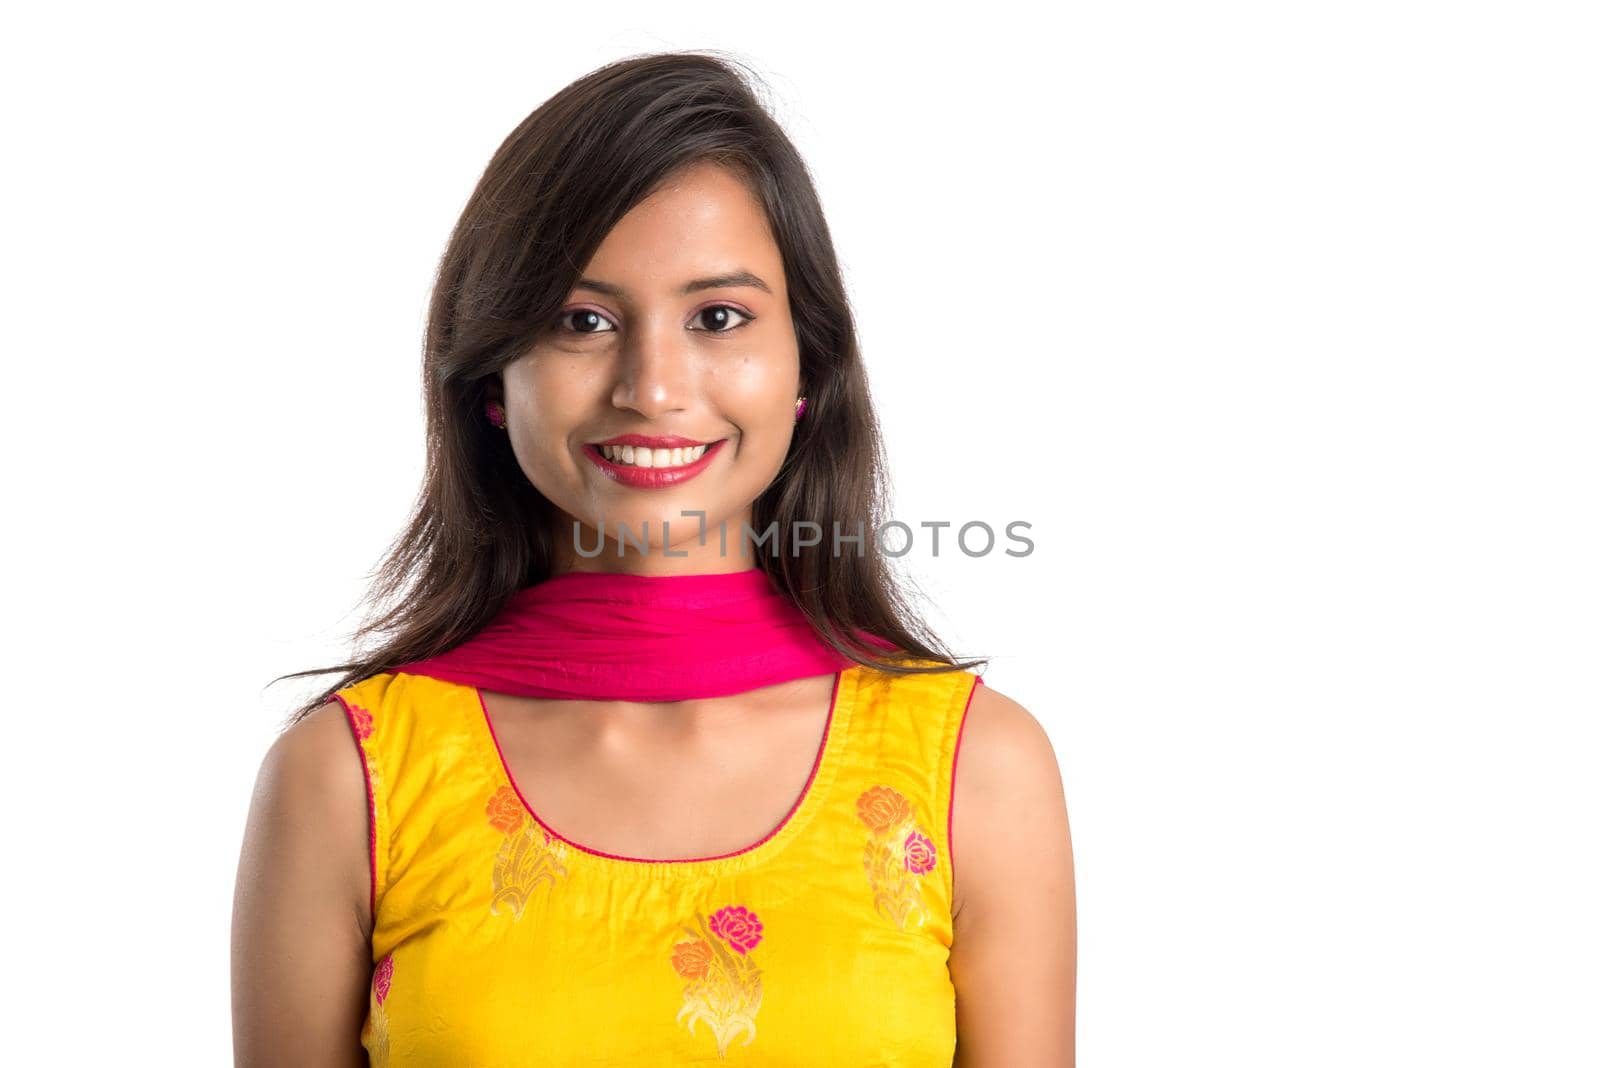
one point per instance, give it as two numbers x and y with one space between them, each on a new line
647 639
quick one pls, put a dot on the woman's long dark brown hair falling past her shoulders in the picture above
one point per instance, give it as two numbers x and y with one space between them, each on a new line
548 199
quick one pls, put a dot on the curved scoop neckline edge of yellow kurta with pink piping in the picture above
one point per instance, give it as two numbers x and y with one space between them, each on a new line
812 799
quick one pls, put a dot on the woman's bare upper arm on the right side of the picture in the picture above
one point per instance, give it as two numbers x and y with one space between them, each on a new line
1014 960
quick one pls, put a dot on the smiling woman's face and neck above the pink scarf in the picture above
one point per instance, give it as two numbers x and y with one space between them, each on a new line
679 329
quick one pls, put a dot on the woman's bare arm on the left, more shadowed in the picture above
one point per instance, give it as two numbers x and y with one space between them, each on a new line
302 958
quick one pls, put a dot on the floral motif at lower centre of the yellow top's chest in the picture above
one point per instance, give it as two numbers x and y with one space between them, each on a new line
724 986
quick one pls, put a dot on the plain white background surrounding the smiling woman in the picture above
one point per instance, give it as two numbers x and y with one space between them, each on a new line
1276 321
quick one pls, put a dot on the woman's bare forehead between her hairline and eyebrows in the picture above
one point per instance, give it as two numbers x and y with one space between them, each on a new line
700 221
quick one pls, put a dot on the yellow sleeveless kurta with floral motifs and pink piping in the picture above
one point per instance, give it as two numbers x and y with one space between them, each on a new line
500 942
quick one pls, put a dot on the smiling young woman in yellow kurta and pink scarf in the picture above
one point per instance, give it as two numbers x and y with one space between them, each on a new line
646 771
